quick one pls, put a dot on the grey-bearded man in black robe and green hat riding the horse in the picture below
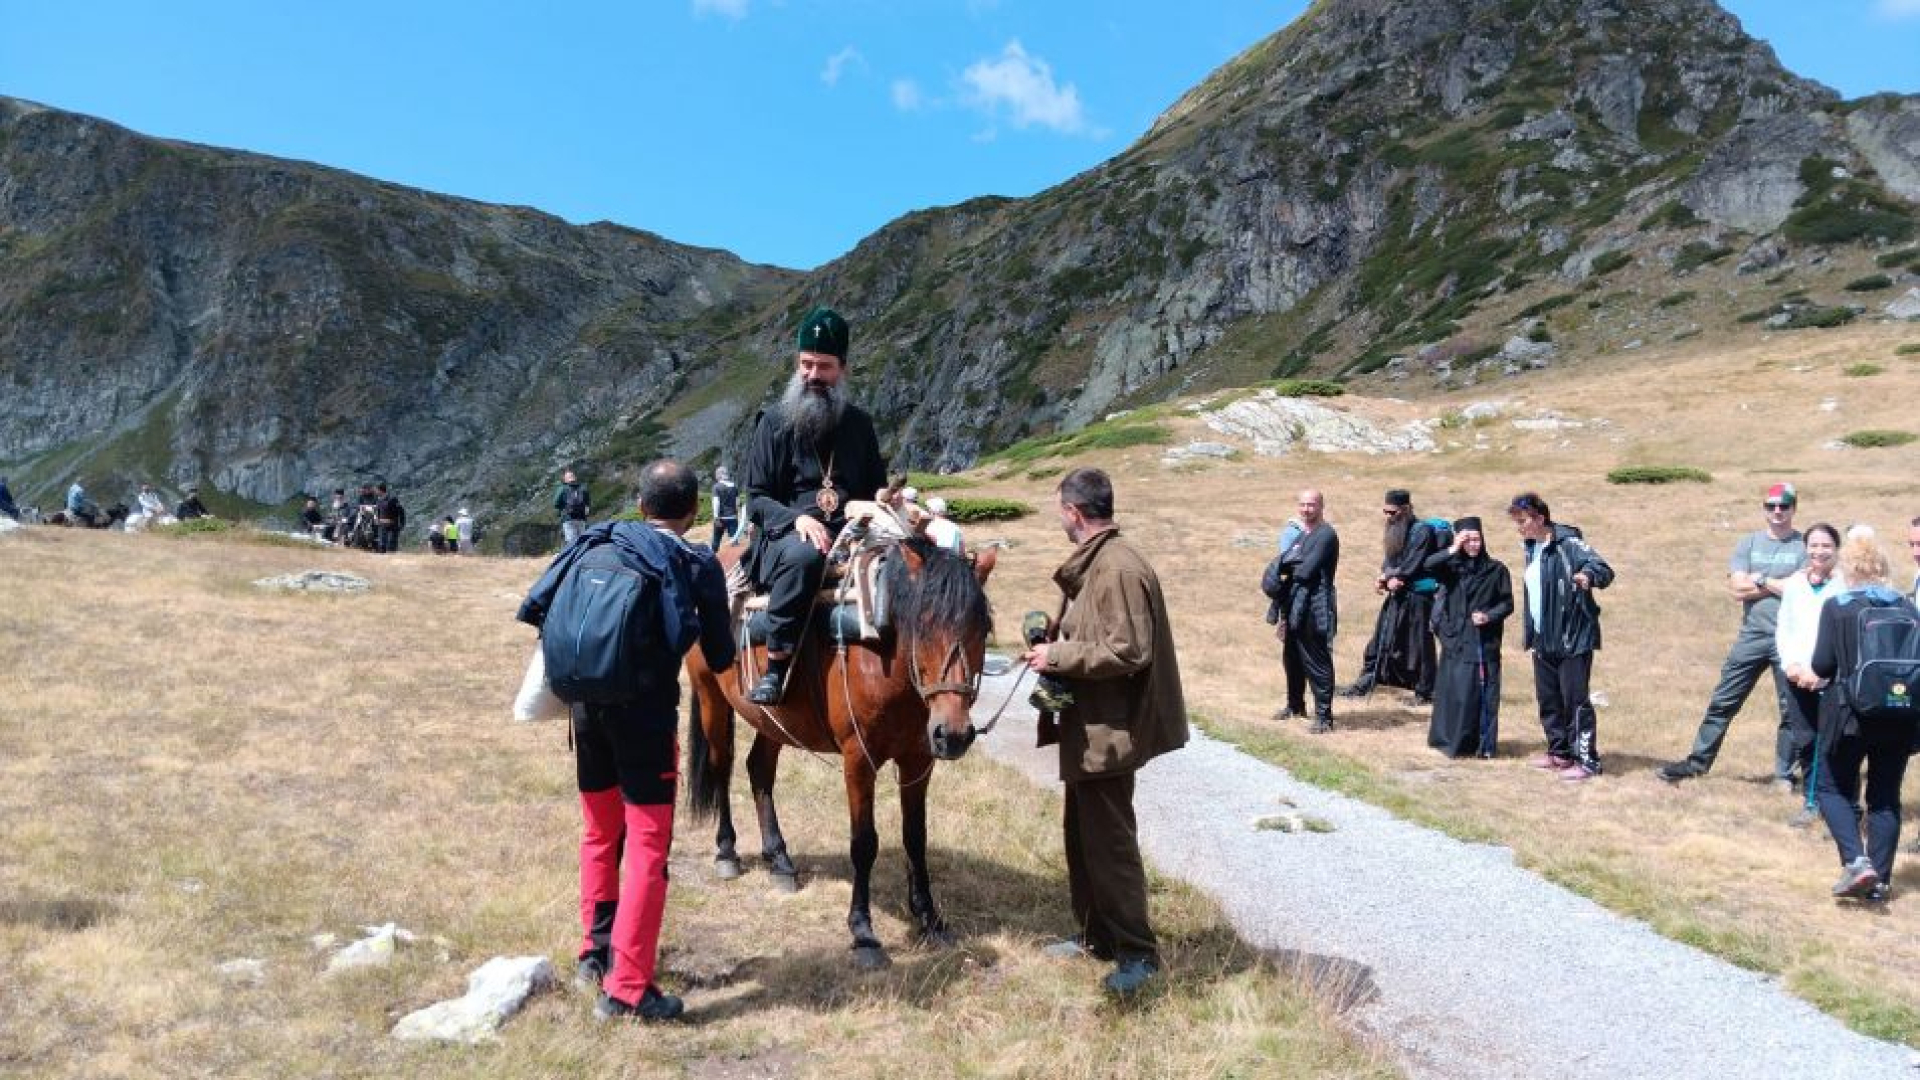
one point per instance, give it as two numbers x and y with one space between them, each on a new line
811 454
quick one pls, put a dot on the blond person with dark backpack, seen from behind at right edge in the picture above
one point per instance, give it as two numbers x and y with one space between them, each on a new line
1869 652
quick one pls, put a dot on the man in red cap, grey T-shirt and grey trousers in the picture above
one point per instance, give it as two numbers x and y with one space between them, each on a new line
1762 564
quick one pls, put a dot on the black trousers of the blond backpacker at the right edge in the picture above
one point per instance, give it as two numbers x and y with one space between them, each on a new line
1884 749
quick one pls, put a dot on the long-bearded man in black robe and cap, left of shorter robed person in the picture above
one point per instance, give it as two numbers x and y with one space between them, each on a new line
1403 649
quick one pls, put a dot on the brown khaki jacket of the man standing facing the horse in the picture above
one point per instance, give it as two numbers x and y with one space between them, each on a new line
1116 652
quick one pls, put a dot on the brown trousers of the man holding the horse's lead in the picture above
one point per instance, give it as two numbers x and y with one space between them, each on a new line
1105 870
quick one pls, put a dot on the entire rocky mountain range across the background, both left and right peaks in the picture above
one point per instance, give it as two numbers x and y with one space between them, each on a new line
1380 180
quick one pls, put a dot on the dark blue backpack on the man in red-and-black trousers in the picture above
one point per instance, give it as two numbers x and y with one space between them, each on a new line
619 622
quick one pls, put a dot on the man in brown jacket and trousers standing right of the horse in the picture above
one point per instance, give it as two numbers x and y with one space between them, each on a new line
1116 654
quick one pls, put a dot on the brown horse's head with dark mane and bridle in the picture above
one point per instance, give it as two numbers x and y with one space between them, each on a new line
942 622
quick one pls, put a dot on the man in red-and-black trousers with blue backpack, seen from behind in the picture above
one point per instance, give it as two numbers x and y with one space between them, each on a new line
617 612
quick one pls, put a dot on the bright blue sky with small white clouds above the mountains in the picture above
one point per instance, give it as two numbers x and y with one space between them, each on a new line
780 130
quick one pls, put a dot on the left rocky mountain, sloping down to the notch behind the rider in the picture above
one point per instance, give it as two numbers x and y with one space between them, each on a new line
172 312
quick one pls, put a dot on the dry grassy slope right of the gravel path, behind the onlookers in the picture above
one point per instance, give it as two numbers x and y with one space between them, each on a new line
1712 862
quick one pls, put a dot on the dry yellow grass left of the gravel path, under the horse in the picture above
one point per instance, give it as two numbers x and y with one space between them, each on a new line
195 772
